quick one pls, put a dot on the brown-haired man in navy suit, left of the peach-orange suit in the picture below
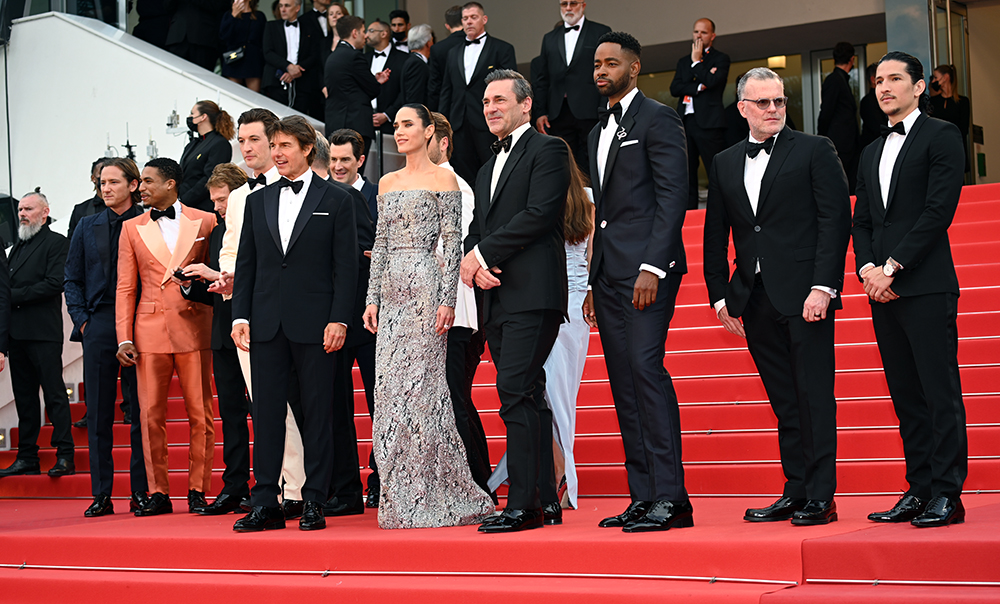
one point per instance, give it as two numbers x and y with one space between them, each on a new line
90 288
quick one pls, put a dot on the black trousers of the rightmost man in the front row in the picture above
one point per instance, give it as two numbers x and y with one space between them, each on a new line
918 341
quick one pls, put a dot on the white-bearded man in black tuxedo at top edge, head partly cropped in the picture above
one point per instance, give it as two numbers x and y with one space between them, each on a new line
564 84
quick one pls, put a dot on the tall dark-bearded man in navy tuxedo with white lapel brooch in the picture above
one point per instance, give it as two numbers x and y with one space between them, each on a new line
640 190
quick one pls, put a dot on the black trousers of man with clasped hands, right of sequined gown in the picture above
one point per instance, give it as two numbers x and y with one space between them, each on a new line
519 344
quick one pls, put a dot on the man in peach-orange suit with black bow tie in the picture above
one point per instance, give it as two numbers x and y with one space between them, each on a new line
160 332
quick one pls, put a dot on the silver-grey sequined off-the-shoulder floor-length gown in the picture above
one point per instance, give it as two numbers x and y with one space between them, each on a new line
425 477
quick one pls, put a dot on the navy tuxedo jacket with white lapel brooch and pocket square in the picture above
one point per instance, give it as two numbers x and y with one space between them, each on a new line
641 203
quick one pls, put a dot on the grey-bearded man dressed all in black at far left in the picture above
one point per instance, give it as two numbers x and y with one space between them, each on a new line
37 263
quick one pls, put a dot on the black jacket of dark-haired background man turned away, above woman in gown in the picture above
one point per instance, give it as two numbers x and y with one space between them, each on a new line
350 88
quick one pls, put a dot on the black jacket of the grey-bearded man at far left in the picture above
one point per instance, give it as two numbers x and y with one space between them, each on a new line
36 276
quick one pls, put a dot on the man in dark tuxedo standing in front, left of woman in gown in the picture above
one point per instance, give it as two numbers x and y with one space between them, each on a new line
295 286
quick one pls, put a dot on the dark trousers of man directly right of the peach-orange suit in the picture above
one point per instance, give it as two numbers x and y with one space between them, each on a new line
233 410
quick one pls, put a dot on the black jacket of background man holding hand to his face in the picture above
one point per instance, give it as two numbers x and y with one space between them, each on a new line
708 108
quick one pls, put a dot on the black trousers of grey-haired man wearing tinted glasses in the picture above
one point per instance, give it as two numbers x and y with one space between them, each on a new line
796 363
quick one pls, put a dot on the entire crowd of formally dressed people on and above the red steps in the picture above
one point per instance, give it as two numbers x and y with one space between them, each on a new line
488 234
